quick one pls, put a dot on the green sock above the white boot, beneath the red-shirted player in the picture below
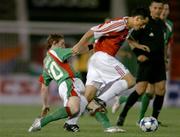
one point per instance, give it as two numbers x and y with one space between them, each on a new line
103 119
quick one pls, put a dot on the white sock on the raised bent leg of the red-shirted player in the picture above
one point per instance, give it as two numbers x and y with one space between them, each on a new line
116 89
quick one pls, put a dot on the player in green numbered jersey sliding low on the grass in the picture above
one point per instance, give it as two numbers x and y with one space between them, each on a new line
57 68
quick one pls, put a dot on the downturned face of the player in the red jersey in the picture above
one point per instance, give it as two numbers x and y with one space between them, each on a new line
140 22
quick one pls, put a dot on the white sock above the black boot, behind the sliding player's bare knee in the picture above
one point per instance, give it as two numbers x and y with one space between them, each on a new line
83 104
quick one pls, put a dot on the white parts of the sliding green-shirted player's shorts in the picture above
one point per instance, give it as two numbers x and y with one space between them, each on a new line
63 89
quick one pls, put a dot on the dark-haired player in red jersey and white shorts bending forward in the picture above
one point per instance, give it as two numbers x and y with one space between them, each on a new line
104 71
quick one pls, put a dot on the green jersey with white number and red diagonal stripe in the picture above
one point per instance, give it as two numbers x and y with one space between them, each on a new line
56 66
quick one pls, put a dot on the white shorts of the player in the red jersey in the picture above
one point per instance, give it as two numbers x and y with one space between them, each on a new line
103 68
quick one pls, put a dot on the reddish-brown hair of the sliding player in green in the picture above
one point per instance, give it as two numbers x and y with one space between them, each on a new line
53 37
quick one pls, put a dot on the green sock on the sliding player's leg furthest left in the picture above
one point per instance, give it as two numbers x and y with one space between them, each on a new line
58 114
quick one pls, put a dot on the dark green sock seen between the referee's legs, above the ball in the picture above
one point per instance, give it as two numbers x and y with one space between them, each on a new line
144 105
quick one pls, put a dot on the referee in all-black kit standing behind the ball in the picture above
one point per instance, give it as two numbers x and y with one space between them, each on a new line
152 66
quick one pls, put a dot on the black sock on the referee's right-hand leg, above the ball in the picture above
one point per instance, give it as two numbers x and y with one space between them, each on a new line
157 105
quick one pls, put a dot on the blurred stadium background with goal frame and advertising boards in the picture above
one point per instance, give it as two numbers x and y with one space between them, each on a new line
25 25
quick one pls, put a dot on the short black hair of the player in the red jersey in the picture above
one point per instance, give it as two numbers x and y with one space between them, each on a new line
141 11
